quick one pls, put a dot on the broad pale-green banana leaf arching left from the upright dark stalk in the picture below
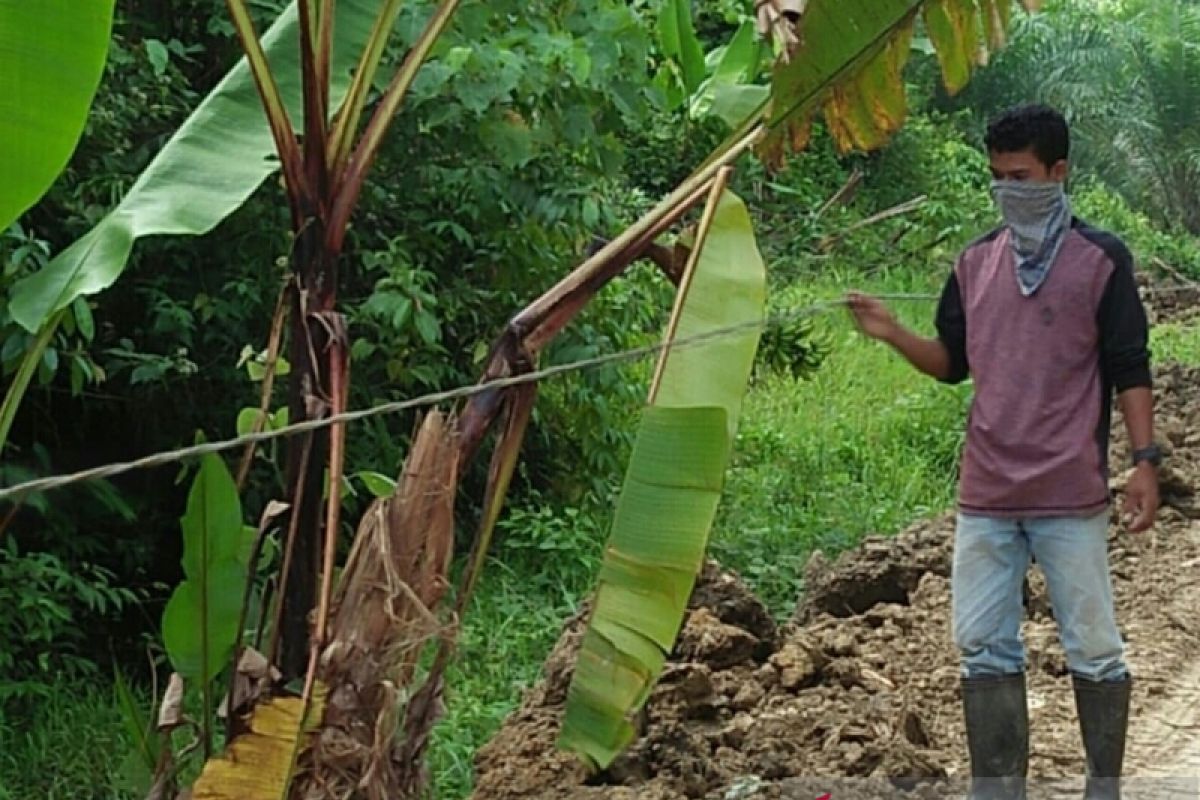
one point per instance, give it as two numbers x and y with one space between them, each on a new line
208 170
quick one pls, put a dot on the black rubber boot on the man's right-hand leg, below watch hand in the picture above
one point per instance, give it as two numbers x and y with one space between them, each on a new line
1103 719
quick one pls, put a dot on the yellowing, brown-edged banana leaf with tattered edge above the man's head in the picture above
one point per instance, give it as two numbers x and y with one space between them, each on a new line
851 58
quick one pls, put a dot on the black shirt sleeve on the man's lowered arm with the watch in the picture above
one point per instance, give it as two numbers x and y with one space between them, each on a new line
1125 333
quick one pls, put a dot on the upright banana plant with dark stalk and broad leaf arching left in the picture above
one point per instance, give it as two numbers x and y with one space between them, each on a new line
317 59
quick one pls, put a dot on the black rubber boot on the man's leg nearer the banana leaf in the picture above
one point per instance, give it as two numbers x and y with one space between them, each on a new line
998 736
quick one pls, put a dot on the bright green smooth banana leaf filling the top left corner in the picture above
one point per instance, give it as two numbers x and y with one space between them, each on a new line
51 49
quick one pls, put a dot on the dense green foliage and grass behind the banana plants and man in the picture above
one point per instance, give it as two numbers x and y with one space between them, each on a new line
535 129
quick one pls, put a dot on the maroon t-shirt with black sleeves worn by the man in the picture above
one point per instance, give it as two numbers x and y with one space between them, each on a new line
1045 370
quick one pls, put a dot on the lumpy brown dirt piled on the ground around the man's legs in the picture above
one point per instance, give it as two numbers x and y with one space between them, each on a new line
863 682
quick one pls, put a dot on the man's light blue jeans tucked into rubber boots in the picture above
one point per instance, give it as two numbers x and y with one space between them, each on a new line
992 557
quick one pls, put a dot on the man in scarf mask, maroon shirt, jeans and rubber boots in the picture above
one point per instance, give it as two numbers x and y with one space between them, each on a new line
1045 316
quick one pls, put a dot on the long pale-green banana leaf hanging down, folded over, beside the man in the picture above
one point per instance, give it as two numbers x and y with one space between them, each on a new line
671 491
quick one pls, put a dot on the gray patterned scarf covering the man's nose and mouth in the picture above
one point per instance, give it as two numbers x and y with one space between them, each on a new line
1039 218
